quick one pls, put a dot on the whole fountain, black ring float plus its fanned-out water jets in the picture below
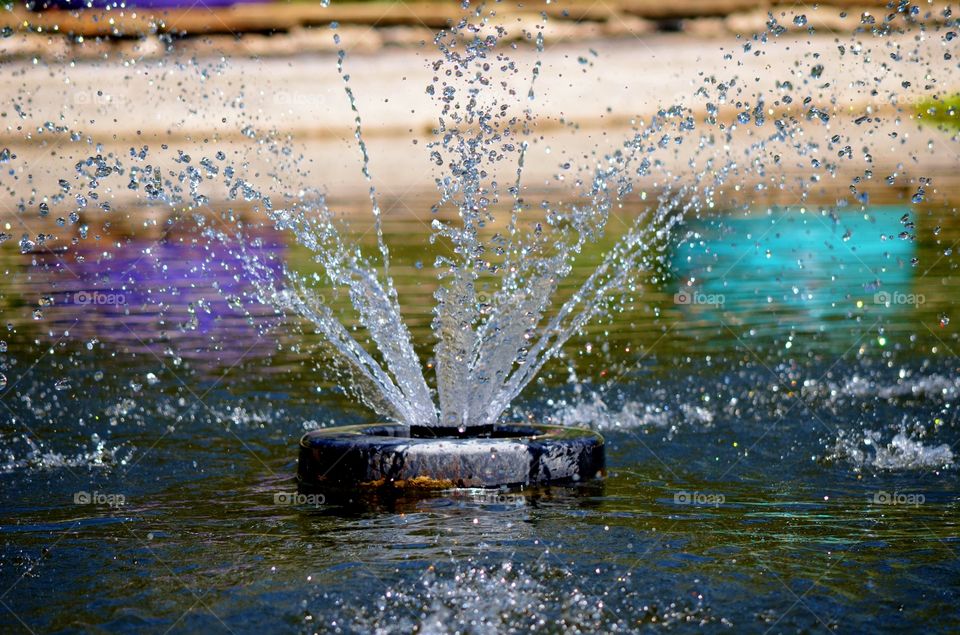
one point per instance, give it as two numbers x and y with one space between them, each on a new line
497 321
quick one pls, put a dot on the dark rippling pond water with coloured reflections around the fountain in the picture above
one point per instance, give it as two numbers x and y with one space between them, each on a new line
779 405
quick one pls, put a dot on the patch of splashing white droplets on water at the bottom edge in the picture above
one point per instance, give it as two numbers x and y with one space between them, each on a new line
507 597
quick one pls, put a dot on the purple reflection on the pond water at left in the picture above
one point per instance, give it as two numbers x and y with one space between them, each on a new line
151 297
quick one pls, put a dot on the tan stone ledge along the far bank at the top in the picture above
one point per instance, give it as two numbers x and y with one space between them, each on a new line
243 29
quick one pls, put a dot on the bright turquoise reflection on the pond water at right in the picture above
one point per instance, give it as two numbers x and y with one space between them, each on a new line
816 265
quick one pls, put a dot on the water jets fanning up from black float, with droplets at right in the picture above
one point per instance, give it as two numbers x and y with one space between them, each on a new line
497 321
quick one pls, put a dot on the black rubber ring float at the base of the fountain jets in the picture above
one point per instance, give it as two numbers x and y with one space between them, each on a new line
385 455
